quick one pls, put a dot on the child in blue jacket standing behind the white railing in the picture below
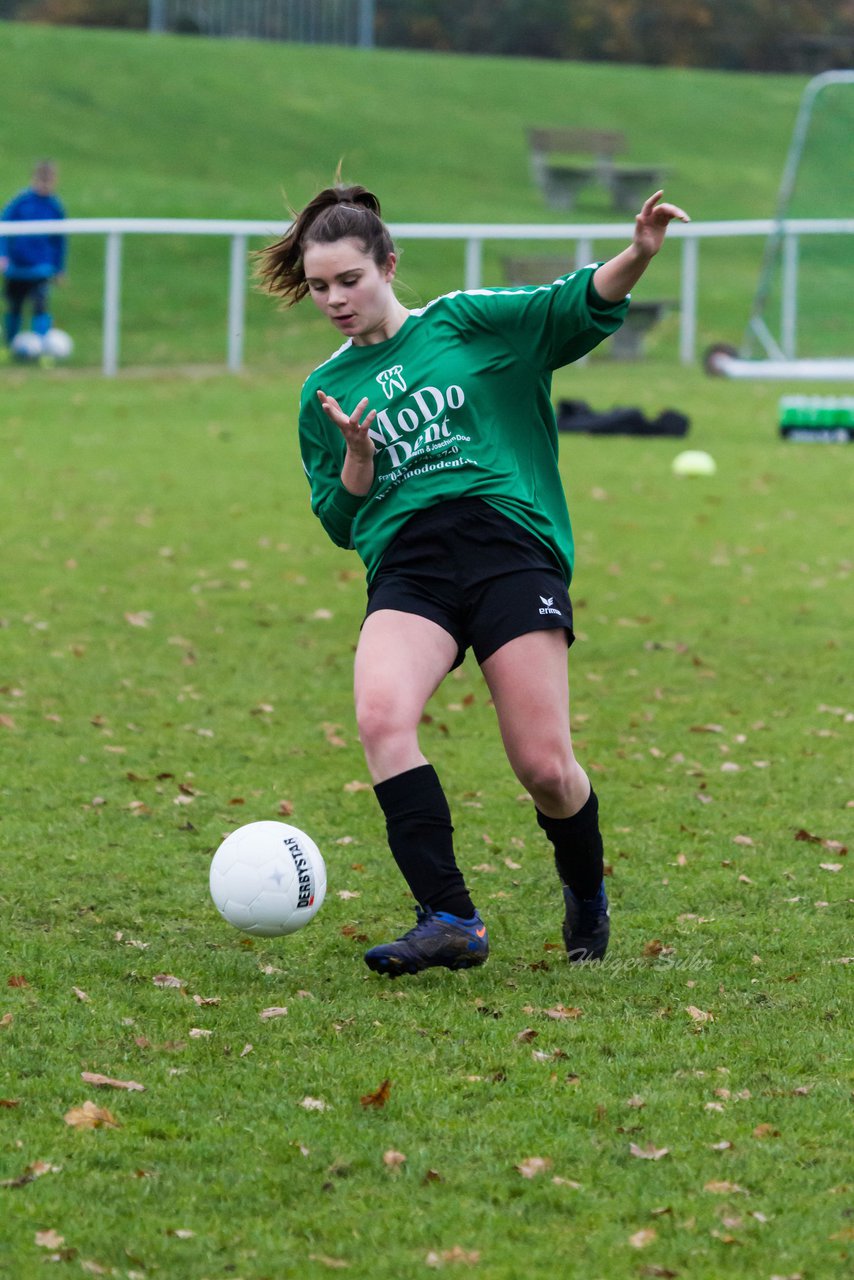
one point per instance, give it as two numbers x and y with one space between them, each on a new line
30 264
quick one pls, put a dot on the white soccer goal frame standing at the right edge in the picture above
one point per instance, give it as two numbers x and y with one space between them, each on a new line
778 358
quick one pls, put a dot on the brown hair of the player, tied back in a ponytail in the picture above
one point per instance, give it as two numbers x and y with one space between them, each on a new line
335 214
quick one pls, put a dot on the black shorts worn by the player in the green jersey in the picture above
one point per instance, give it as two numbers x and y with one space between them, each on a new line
479 575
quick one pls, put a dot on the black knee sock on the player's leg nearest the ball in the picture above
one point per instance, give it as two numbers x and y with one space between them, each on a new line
421 836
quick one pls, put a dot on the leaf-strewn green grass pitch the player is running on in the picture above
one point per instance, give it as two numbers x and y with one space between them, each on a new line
176 639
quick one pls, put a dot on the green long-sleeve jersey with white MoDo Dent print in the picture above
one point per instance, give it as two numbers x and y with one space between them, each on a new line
463 399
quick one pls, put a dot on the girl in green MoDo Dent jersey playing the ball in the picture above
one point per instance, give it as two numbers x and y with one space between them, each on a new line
431 447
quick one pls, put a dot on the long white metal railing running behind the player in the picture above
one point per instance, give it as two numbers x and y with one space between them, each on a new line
473 236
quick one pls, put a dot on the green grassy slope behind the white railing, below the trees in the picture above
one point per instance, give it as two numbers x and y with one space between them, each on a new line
181 127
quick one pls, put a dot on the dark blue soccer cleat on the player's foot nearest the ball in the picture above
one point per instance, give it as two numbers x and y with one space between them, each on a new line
437 940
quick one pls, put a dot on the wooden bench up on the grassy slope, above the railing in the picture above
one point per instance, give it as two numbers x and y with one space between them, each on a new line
560 175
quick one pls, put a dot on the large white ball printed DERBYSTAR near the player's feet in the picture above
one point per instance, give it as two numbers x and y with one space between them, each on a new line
268 879
